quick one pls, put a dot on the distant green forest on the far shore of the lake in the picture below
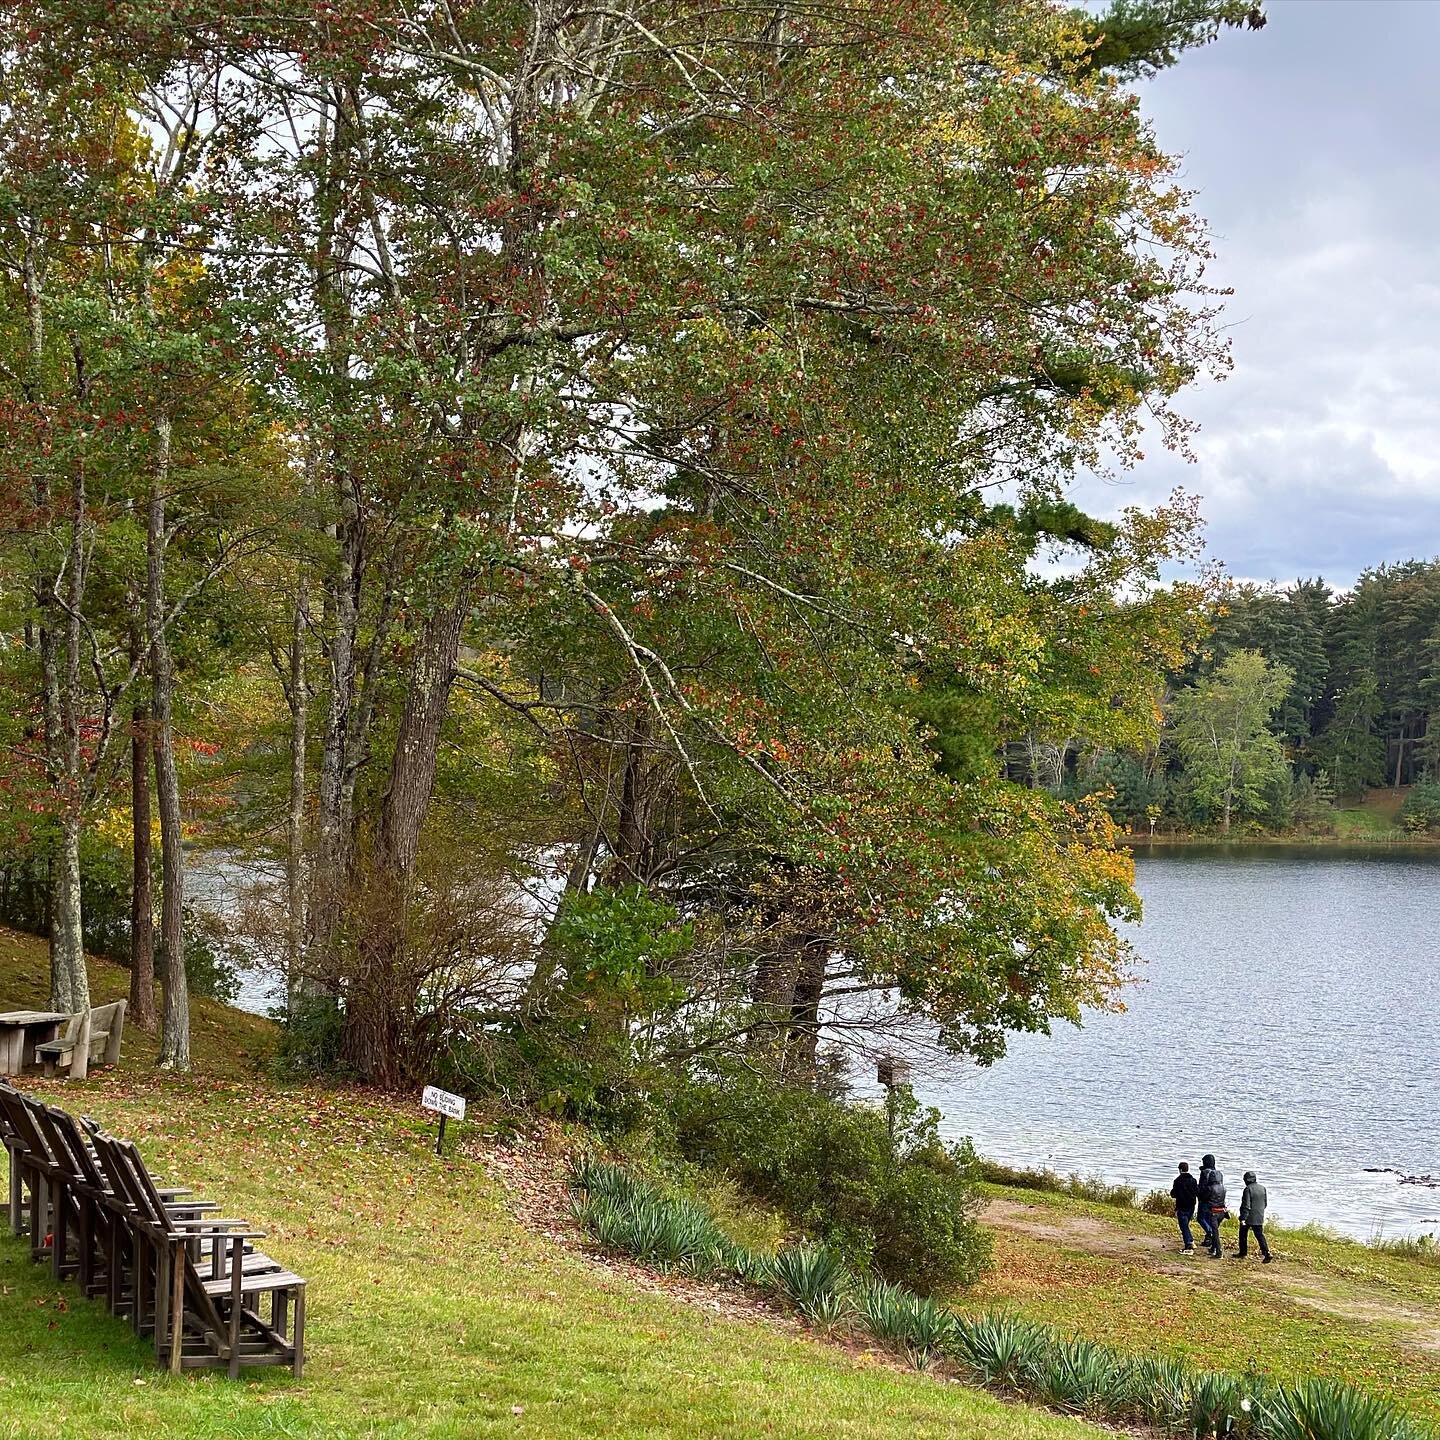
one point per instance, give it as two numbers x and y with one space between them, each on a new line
1302 698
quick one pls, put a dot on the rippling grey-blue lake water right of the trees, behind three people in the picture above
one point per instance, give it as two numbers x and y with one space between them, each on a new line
1287 1019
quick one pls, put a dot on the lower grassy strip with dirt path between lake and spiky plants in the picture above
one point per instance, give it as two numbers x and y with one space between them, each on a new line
1330 1307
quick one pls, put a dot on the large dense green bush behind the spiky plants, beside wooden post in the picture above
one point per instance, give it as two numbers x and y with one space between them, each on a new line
909 1212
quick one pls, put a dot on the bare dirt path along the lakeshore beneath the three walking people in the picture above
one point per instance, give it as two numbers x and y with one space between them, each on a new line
1419 1326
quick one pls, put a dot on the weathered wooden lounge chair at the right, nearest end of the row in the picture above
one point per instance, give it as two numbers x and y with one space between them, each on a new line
201 1285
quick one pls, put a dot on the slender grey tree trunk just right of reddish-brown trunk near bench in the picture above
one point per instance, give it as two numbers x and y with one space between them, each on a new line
175 1029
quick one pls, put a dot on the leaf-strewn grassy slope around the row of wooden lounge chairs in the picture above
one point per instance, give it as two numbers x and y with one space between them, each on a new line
433 1313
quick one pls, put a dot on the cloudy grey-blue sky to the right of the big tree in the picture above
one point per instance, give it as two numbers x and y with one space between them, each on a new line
1315 148
